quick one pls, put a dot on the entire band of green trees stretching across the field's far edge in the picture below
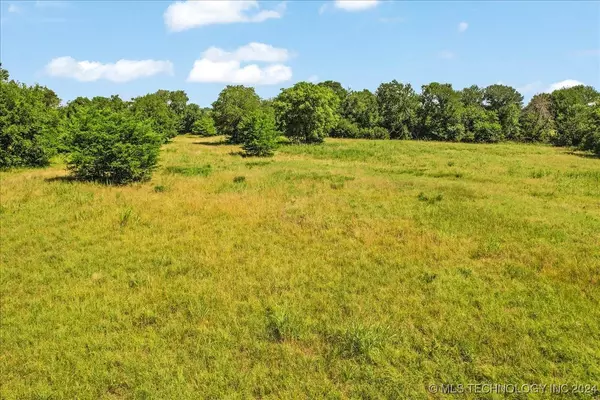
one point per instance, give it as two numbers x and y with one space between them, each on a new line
111 140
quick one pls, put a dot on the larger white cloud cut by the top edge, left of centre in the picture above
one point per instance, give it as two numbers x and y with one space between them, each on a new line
184 15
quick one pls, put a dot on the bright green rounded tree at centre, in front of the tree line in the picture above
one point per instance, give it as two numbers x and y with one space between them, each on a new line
306 112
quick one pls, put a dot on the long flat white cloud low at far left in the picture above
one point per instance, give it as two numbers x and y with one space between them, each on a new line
121 71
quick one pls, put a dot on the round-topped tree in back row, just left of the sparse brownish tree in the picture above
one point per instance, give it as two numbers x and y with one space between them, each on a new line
506 102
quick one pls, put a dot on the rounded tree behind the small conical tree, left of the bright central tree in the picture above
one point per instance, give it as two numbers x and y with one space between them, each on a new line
234 102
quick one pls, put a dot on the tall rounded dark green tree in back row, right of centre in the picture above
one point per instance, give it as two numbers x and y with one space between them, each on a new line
398 105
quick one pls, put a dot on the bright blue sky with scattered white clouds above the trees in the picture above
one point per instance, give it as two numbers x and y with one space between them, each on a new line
100 48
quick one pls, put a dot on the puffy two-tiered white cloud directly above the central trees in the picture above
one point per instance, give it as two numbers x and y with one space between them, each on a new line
220 66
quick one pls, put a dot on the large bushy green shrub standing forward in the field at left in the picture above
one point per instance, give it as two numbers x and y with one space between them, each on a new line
111 146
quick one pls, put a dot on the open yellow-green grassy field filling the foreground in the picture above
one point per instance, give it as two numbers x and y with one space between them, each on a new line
355 269
